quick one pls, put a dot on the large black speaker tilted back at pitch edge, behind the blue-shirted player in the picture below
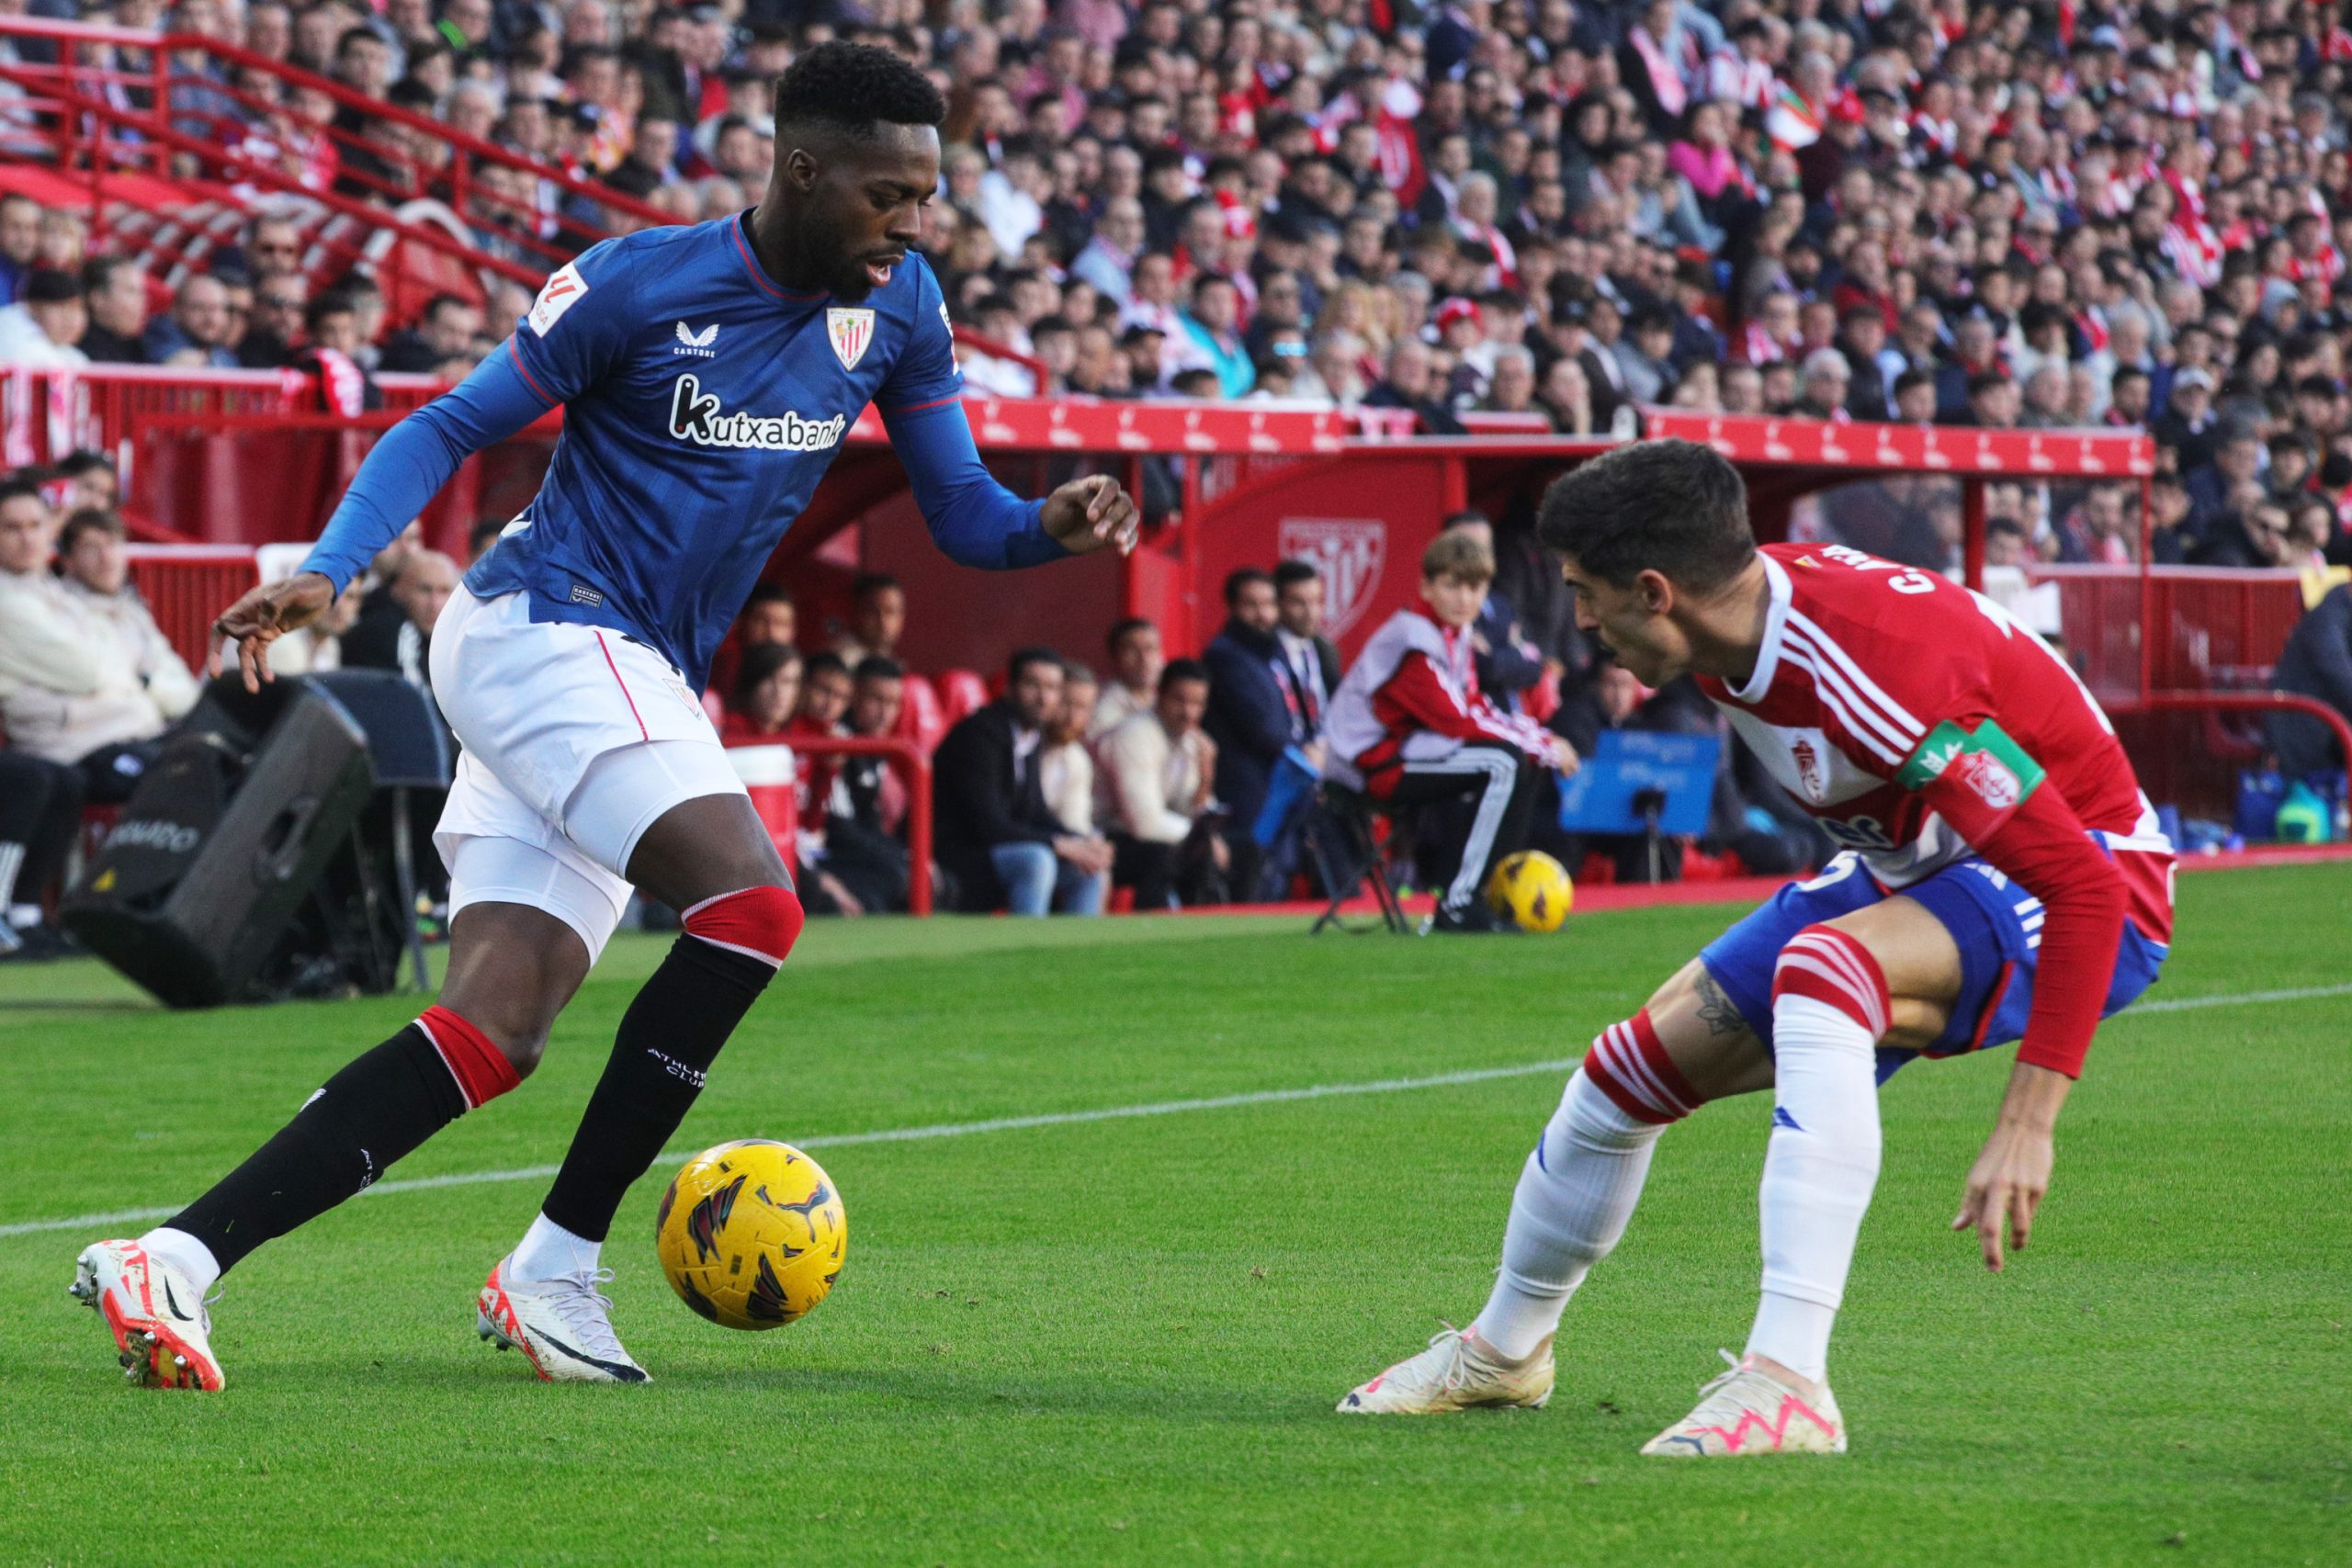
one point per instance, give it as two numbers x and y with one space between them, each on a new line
236 871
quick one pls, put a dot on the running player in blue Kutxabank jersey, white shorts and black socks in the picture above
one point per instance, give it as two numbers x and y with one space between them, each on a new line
707 380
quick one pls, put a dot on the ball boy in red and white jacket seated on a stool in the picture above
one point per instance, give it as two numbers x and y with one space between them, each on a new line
1410 725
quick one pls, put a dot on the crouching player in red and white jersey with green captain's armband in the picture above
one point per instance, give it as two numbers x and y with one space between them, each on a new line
2003 878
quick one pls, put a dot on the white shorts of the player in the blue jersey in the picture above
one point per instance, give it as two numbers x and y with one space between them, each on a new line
577 739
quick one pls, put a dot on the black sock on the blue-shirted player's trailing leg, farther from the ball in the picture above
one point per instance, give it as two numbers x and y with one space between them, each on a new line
366 1118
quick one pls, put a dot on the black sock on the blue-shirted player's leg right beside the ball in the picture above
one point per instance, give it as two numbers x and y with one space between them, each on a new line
669 1038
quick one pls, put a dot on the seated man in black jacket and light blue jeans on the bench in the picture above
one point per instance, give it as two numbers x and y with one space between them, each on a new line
991 824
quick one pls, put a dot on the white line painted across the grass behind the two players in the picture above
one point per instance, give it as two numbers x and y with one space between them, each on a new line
1109 1113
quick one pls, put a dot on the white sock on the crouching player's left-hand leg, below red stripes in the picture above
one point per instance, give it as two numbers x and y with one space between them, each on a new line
1575 1198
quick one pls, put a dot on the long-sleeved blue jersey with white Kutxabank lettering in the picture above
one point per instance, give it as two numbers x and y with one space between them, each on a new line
702 406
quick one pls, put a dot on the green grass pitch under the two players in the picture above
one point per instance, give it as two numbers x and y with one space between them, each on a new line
1118 1341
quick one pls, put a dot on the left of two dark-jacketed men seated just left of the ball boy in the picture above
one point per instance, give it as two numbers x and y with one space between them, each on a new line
1255 713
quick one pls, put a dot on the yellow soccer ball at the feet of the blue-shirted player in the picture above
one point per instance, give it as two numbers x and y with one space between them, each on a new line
751 1233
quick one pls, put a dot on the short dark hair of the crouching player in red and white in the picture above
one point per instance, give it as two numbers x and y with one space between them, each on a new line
1652 507
